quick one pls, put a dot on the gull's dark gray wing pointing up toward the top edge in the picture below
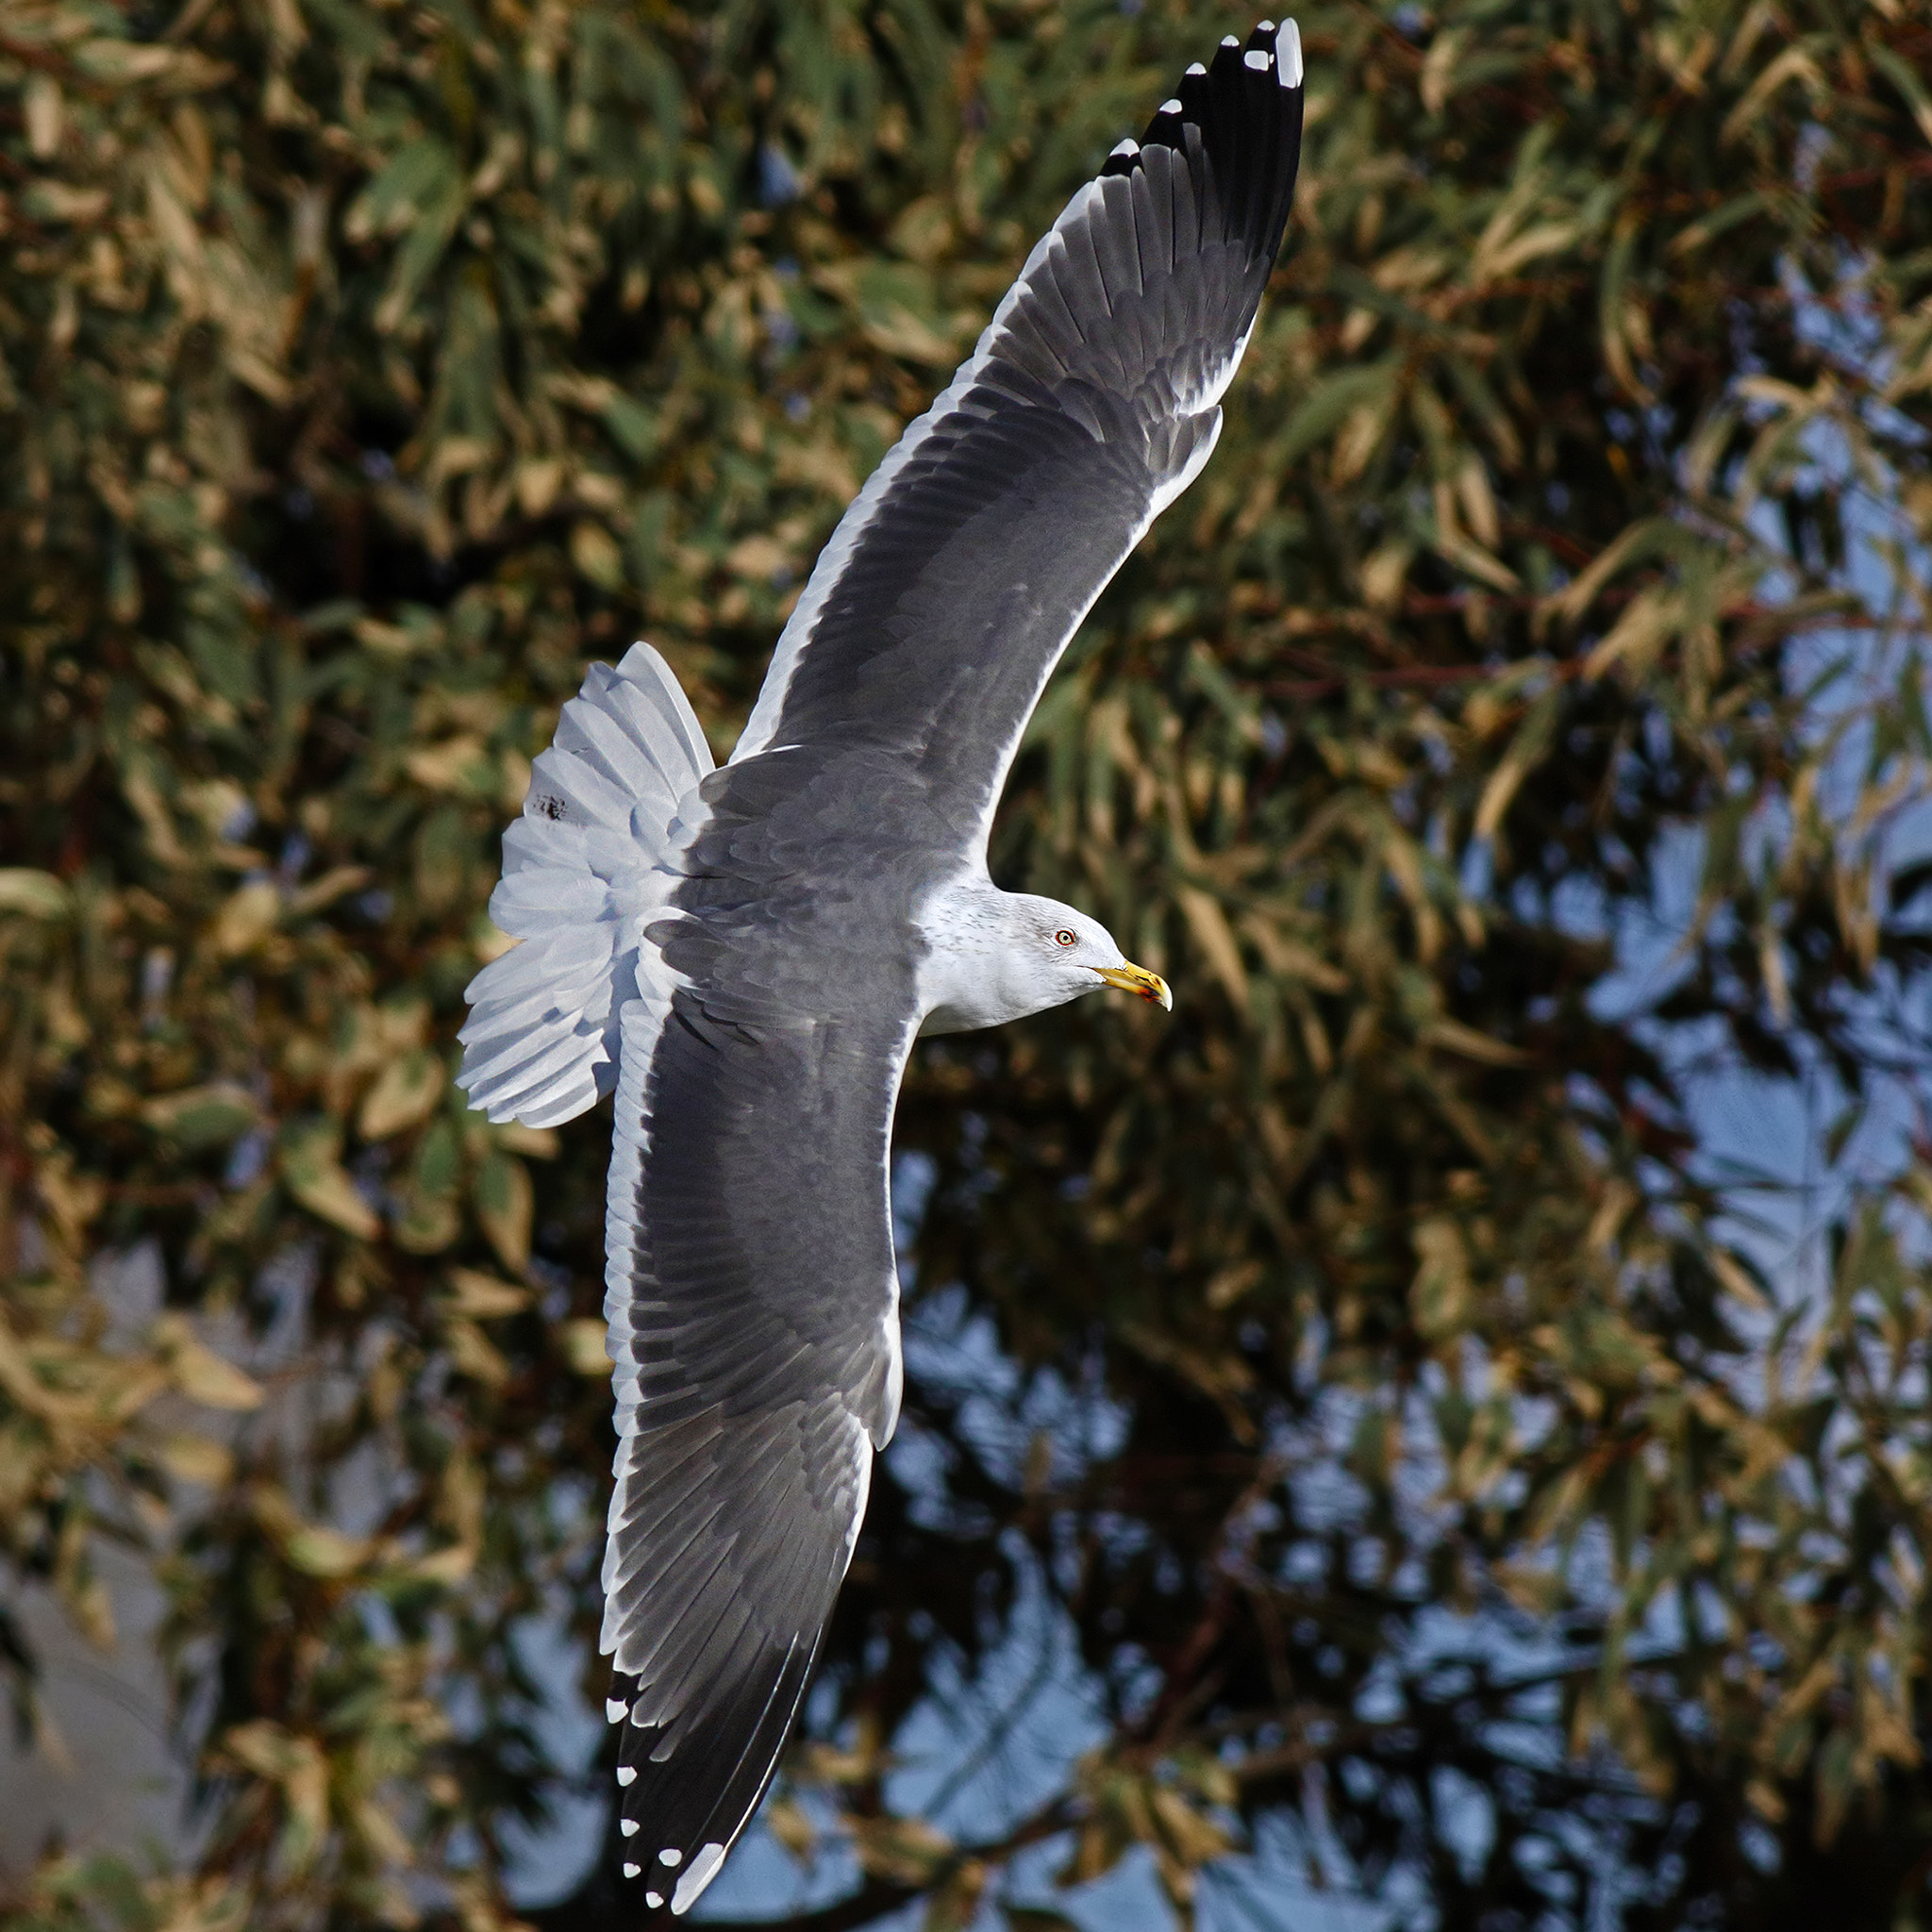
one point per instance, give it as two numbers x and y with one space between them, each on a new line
955 581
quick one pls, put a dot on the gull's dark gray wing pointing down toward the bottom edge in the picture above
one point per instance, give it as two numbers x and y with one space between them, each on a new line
754 1322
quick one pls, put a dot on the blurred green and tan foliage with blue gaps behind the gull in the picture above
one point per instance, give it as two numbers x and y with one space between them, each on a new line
1431 1436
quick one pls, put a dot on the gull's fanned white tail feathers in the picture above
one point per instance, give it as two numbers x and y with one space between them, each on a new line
581 868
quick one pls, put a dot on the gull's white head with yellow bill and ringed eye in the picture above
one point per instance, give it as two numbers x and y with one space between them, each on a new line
996 957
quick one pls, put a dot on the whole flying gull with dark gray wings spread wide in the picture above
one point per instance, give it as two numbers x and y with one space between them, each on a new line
747 953
